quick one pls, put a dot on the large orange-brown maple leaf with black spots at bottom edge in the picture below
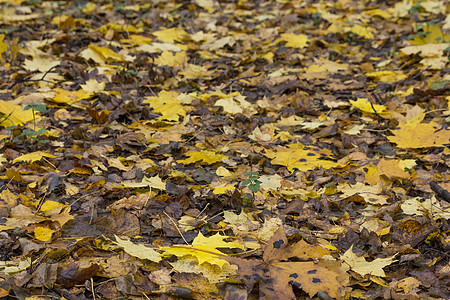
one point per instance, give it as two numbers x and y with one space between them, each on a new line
276 276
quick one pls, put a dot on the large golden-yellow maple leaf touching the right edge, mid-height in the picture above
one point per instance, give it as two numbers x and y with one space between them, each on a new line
423 135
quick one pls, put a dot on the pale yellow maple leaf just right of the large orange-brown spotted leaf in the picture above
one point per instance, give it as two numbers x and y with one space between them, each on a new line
363 267
